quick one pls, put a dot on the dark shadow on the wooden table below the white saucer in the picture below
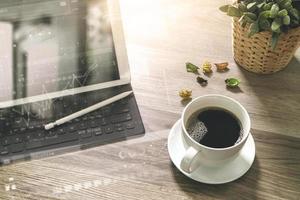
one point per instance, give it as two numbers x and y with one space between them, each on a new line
243 188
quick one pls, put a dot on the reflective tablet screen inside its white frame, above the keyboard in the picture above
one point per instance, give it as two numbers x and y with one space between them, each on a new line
50 46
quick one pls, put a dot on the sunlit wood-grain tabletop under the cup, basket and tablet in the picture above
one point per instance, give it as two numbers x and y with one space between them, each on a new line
161 36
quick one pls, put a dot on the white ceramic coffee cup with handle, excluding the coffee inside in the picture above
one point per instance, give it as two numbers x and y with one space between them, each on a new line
212 154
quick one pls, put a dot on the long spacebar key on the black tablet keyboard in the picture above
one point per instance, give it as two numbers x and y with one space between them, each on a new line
51 141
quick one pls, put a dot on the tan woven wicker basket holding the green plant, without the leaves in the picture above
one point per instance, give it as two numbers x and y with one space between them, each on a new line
255 53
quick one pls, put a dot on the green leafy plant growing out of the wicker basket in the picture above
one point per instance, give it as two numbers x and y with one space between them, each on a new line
276 16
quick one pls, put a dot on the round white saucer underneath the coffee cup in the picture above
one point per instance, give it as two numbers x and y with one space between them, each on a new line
217 174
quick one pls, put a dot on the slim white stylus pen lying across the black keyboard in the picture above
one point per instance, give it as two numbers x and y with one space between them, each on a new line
87 110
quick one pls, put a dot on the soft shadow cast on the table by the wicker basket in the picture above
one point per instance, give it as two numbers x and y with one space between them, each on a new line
277 95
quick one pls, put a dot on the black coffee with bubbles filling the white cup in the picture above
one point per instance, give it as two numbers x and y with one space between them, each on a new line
215 127
